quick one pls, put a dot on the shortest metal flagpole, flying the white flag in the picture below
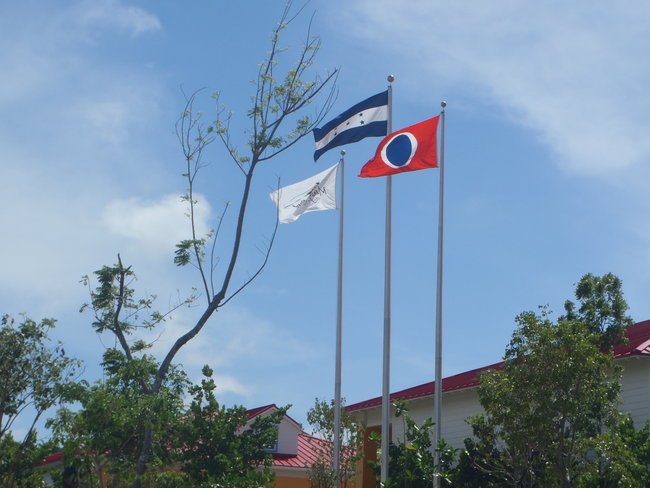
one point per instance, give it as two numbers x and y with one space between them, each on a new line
339 332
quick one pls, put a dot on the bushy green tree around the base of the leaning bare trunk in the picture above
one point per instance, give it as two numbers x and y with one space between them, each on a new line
103 437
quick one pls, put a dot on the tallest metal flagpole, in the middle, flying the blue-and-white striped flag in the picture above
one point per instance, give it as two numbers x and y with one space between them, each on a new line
385 402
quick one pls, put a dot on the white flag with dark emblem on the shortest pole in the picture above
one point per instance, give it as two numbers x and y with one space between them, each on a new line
315 193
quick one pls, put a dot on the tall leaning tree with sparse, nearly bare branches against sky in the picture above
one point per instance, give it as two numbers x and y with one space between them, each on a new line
272 100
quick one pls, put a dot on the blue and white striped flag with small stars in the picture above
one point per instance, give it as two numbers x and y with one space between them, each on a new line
366 119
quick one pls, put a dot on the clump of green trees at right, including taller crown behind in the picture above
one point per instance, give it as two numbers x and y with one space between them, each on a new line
558 389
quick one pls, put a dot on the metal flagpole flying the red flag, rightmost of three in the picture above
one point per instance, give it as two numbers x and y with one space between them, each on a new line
438 392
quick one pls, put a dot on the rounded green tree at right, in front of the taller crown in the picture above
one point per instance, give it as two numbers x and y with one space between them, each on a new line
556 390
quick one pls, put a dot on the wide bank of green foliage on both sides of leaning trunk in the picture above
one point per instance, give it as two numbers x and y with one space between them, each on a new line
208 444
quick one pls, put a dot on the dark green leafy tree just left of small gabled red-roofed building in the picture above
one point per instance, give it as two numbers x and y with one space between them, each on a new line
219 446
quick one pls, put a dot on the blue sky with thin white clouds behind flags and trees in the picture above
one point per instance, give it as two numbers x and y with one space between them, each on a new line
547 166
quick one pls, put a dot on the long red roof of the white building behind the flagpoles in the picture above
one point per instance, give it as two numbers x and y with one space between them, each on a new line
638 336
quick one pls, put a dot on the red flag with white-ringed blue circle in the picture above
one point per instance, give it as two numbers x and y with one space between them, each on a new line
409 149
